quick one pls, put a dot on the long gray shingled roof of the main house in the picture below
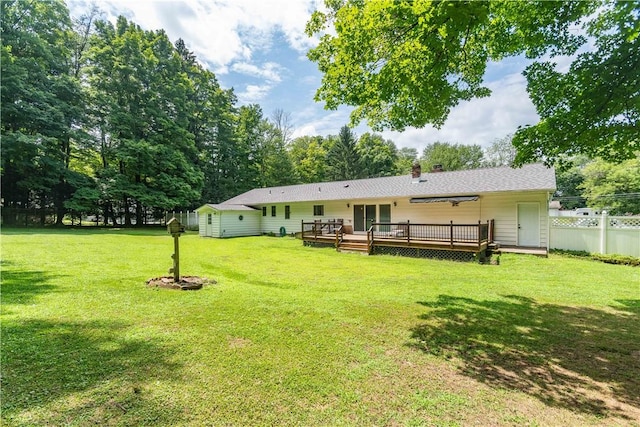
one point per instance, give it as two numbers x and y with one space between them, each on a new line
534 177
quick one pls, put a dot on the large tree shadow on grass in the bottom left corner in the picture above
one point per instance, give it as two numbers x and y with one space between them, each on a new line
86 372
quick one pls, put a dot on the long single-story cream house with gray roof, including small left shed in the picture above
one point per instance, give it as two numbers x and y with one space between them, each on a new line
514 199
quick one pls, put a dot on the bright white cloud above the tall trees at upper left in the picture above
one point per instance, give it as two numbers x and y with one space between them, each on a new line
219 31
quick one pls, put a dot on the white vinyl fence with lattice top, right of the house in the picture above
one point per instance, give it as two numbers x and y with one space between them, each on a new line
596 234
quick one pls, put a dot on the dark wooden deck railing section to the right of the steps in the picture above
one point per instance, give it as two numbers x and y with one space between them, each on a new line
446 233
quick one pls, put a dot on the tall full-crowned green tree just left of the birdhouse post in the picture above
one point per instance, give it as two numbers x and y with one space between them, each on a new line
140 97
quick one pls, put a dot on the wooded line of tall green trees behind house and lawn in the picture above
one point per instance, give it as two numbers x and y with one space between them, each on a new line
118 121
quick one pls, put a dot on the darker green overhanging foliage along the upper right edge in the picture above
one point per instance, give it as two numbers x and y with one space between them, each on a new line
594 107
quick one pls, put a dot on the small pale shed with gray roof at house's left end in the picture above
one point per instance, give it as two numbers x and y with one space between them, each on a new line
227 220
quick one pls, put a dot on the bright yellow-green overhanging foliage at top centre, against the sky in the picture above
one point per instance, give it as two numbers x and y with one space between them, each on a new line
408 63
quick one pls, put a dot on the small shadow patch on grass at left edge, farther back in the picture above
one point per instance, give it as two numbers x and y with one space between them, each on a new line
22 286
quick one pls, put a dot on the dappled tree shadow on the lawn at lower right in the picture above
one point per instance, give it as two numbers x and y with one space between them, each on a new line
578 358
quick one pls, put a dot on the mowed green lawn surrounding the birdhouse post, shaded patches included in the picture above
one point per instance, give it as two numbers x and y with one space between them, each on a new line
292 335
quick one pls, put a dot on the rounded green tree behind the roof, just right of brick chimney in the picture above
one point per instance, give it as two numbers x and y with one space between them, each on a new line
452 156
